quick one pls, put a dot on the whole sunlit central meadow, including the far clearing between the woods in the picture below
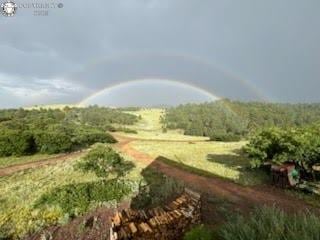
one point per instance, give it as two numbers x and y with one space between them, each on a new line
223 159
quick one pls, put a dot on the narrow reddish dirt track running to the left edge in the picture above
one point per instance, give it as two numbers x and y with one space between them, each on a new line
36 164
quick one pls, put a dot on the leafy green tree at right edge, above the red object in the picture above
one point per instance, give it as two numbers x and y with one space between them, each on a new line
299 145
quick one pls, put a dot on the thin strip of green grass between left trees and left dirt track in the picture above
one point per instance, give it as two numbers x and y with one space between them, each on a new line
9 161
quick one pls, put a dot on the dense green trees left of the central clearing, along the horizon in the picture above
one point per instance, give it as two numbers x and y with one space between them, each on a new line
25 132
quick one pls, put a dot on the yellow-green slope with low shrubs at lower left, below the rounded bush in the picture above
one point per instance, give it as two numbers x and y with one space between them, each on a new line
34 199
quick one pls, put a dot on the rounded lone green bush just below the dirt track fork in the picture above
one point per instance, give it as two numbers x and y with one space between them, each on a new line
104 161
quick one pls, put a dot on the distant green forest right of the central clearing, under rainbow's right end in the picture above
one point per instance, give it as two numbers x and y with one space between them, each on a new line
227 120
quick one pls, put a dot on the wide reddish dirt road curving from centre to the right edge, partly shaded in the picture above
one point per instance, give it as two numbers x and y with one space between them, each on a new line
244 197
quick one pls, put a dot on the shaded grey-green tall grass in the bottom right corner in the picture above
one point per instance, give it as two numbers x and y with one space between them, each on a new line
272 224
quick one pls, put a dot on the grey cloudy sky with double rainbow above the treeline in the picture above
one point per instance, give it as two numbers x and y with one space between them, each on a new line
243 50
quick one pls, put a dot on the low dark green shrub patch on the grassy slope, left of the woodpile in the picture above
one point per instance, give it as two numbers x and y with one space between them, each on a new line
76 199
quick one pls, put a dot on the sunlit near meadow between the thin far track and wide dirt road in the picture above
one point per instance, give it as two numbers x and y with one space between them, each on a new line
217 158
